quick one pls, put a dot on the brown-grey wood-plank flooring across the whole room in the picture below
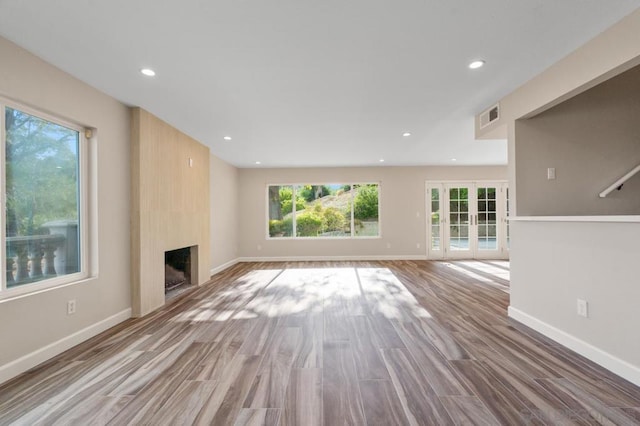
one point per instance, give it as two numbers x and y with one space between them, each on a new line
311 343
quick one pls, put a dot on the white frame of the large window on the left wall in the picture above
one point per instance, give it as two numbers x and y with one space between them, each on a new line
8 293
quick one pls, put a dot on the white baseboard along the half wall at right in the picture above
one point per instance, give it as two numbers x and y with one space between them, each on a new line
620 367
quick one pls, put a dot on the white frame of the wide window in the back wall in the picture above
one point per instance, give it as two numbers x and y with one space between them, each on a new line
352 235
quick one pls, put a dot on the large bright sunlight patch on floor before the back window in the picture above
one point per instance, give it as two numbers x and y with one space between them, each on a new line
278 293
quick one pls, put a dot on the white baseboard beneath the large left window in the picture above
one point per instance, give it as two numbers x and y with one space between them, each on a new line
26 362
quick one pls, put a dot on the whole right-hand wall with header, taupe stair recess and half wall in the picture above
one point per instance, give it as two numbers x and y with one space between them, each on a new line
555 261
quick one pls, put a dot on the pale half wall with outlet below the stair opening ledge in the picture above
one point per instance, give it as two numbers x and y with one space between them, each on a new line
555 263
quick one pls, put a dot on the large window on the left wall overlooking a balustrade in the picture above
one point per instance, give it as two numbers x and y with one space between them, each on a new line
43 202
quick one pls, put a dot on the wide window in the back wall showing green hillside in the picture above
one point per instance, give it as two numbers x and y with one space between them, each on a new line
323 211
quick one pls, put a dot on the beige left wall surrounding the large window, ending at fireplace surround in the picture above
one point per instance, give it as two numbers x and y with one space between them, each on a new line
29 324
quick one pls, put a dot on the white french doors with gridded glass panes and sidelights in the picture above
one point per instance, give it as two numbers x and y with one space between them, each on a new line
467 220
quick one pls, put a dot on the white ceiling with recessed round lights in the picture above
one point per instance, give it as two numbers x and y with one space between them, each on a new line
313 83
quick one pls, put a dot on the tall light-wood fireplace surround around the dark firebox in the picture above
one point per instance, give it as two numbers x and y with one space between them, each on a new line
170 205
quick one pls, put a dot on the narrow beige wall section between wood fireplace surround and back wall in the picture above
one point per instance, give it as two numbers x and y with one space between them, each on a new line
224 213
